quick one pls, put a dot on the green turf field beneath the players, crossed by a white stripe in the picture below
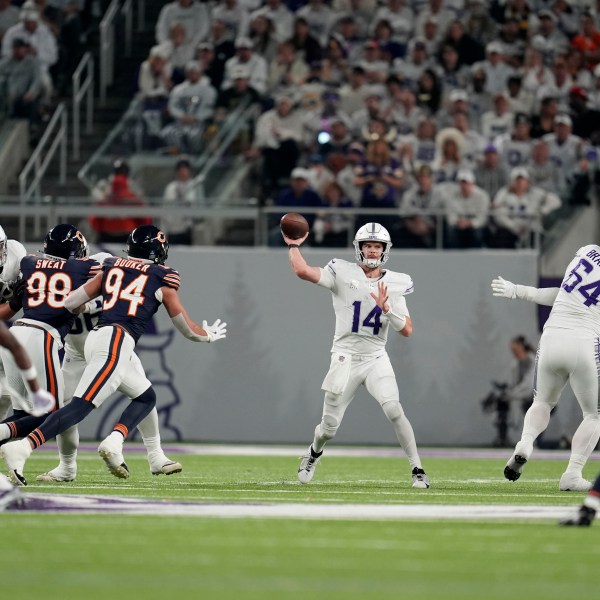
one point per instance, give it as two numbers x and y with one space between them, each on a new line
130 556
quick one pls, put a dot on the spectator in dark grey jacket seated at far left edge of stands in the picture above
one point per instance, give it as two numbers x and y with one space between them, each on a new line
21 81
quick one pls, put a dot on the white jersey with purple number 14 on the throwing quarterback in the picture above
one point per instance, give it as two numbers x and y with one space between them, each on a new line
360 327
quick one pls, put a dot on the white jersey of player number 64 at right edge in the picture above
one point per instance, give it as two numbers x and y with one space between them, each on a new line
577 303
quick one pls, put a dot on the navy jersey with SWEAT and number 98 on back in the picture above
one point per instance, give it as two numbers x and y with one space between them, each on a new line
48 281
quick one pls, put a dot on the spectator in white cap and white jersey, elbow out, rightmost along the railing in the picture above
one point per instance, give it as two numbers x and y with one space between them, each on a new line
518 210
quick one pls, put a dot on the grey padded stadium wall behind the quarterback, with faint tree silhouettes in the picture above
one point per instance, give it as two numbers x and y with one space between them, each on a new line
262 384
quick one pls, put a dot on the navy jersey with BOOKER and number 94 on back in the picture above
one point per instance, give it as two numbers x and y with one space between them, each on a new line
129 291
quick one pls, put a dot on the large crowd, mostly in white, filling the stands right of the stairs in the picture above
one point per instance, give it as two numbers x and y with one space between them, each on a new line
484 112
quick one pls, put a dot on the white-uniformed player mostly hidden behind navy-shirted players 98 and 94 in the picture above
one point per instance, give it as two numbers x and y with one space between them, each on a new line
73 367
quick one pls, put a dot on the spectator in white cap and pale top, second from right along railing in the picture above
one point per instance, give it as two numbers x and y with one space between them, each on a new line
467 208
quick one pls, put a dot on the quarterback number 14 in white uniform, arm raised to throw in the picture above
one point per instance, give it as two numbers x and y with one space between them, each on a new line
368 301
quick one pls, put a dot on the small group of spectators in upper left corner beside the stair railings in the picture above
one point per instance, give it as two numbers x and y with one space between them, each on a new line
41 44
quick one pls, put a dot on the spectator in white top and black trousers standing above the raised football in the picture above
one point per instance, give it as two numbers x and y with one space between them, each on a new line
277 137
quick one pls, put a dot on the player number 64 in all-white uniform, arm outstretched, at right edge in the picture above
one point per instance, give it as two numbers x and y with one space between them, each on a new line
569 351
